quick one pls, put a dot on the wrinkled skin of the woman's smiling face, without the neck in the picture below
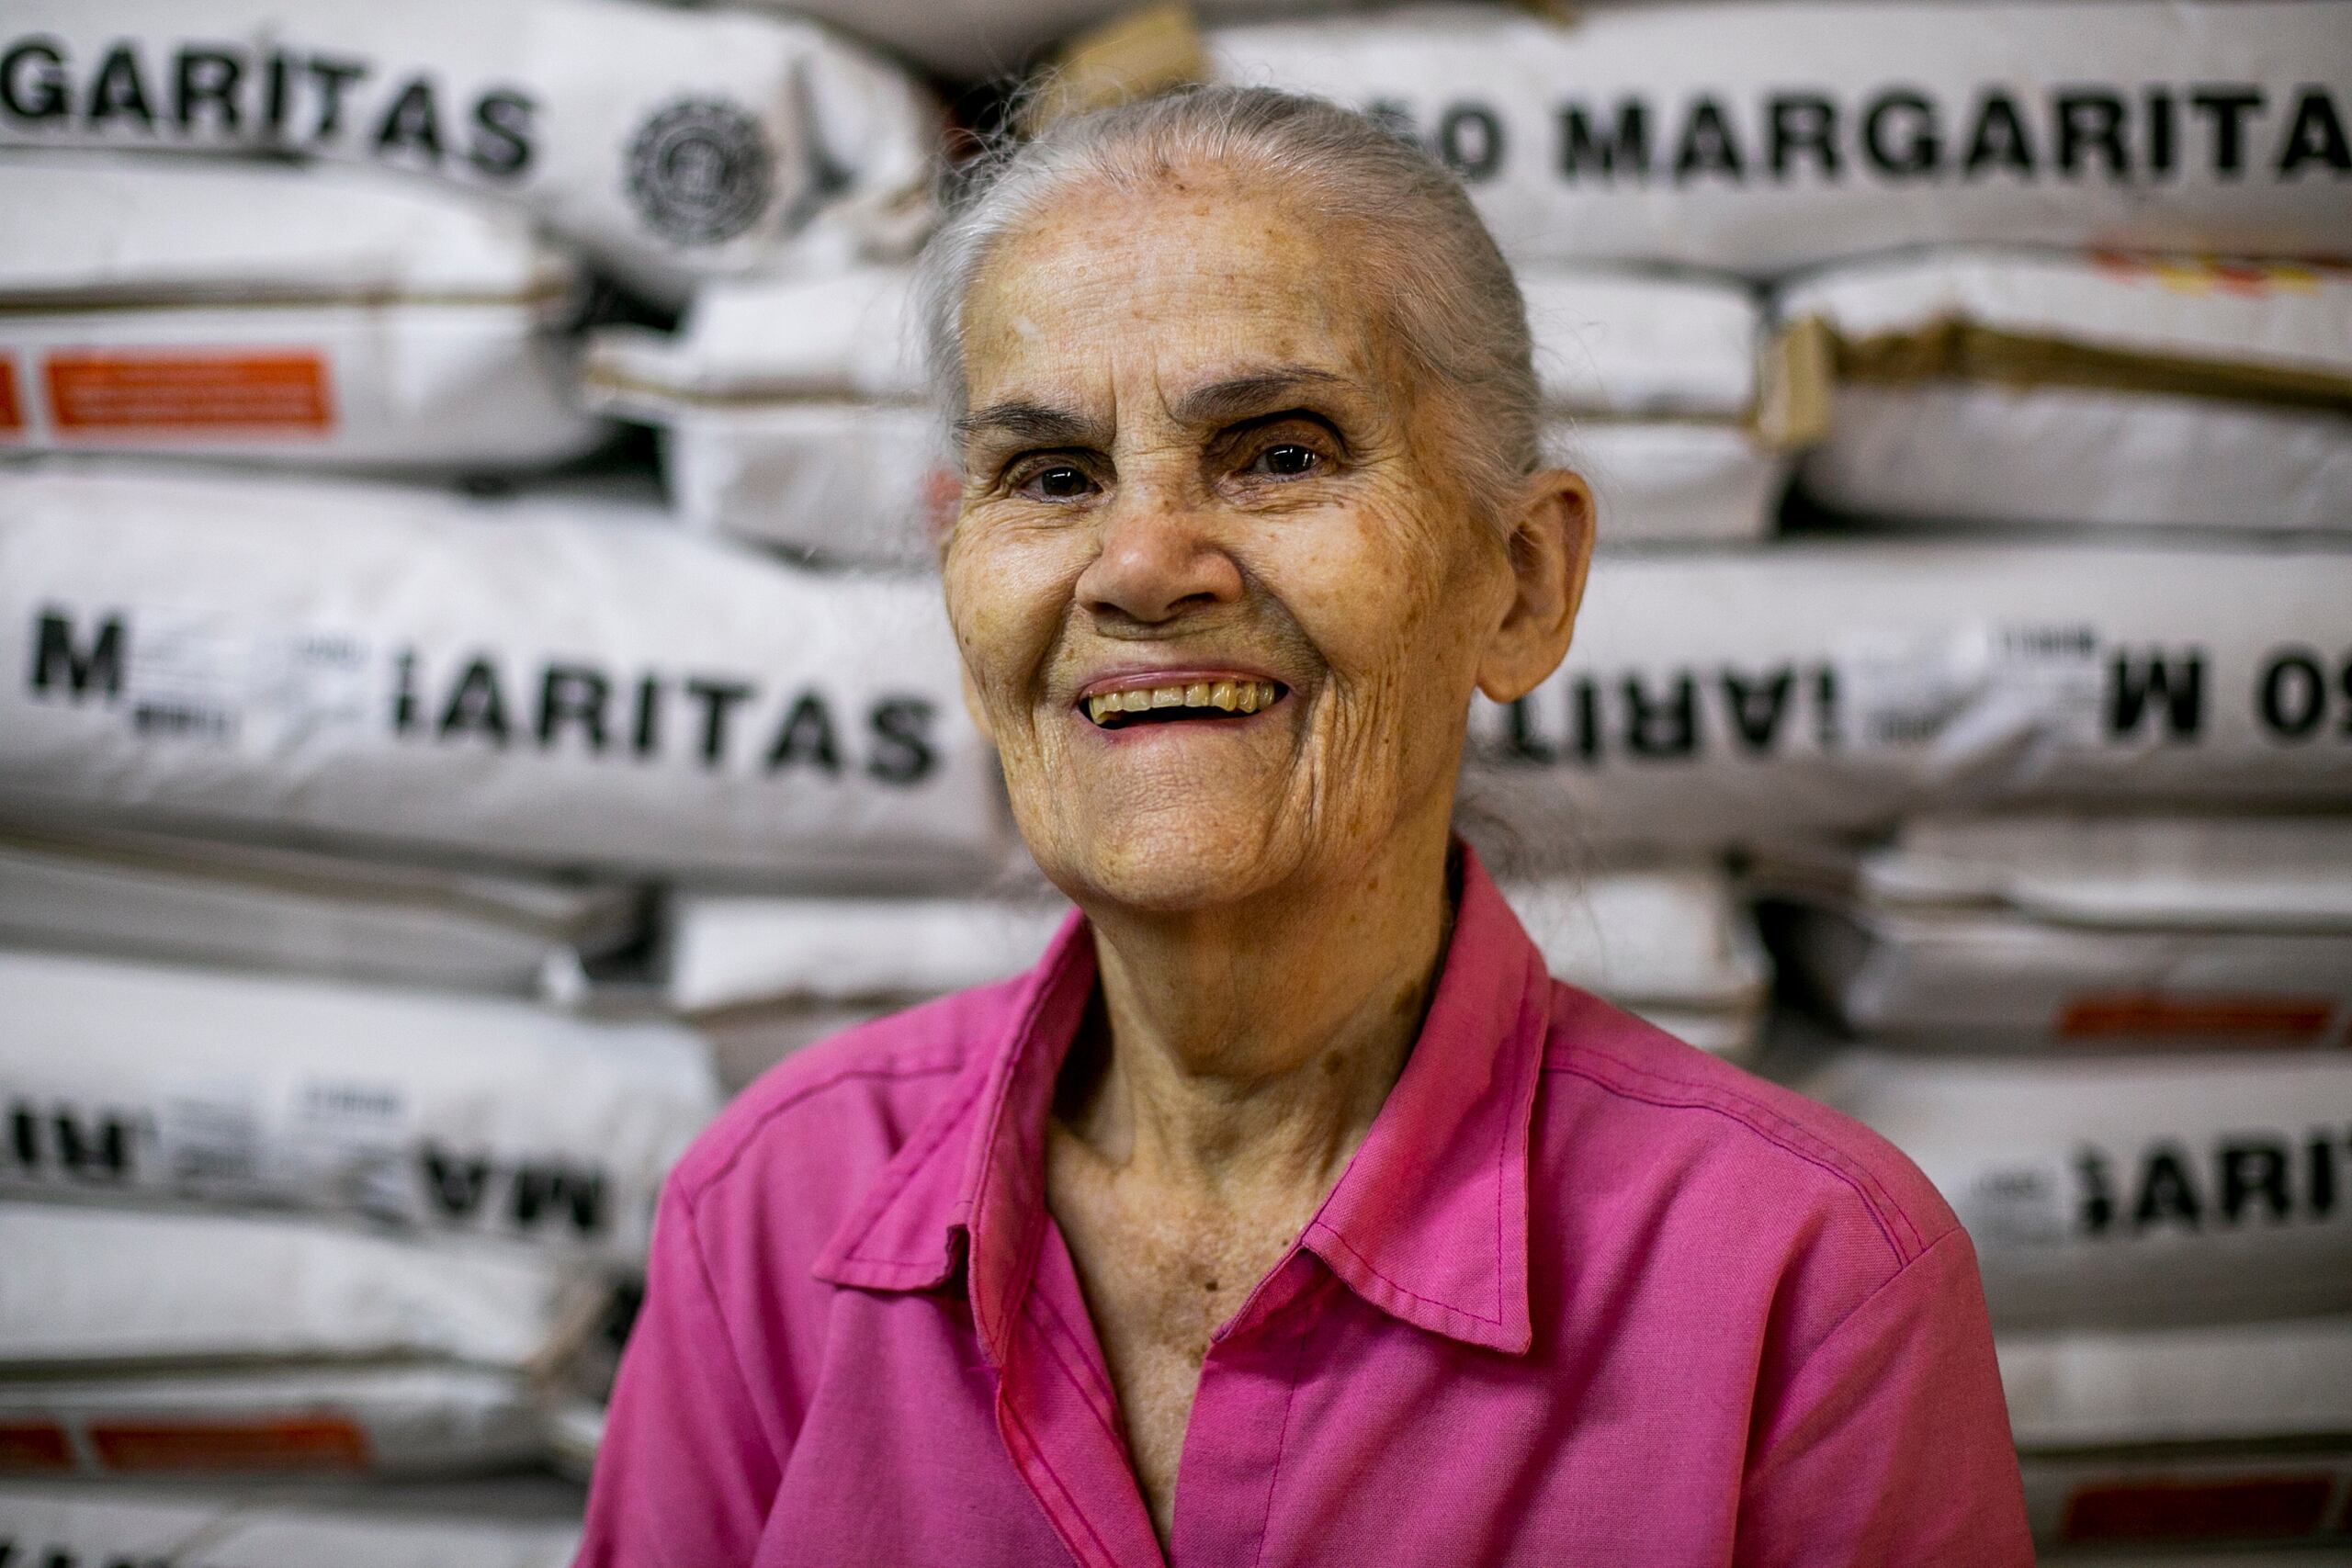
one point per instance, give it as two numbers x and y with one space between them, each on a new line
1363 584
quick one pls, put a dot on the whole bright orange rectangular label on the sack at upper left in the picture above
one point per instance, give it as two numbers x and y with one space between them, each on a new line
232 394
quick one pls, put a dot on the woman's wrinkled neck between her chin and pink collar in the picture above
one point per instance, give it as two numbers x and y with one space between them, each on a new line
1248 1050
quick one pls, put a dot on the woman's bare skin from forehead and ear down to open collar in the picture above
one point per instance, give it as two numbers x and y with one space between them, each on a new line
1269 897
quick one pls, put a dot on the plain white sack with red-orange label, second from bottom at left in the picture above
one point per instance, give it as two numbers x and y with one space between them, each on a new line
135 1341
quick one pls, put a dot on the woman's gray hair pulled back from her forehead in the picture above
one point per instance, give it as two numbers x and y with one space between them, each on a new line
1450 295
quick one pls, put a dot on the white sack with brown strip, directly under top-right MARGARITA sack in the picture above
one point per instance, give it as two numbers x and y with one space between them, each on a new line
2012 387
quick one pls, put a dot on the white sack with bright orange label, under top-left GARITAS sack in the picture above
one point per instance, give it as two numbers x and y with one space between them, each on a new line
295 316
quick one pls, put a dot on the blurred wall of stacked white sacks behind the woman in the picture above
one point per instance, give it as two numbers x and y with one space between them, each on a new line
474 692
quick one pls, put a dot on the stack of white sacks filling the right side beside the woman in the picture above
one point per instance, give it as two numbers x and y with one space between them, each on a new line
2038 711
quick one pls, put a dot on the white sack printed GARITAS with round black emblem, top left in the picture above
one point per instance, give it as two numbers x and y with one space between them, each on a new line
669 145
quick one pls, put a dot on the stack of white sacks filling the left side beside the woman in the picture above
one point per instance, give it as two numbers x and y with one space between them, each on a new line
330 789
